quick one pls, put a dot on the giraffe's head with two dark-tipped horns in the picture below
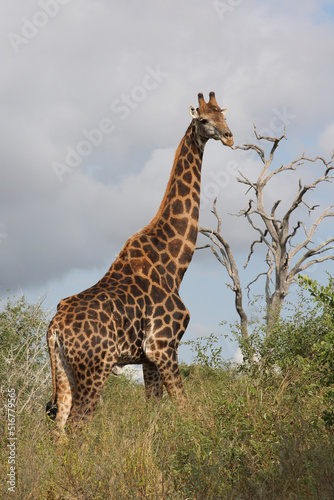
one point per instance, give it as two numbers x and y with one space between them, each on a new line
210 121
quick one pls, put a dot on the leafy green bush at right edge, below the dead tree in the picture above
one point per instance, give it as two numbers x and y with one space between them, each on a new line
300 343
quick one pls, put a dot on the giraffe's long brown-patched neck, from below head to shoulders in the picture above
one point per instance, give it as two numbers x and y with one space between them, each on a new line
174 228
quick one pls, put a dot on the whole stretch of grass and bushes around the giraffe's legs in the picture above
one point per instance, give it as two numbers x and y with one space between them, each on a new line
258 431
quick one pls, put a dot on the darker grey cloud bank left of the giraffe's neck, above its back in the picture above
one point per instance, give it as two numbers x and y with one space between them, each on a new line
82 223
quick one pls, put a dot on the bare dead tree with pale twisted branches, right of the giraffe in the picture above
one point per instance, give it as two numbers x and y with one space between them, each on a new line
290 246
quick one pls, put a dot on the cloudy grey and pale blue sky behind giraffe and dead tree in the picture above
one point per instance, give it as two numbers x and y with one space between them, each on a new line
94 102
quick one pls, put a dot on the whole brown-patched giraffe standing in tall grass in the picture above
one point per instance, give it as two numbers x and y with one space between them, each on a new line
134 314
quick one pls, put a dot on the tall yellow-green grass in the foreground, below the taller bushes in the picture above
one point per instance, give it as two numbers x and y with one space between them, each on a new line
240 435
